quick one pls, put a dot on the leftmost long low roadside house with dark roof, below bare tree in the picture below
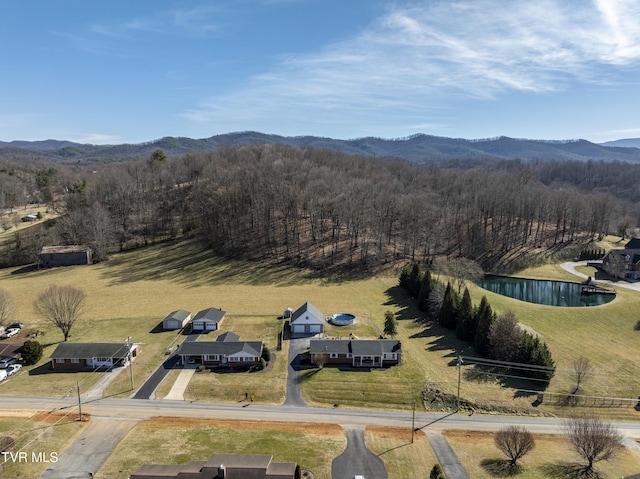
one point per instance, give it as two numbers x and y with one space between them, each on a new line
84 356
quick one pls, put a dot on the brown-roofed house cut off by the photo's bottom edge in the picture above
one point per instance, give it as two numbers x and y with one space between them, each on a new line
221 466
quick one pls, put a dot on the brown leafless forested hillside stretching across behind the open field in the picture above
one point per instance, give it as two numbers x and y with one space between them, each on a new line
325 209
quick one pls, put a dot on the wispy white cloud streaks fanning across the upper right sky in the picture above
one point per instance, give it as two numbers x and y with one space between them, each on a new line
417 54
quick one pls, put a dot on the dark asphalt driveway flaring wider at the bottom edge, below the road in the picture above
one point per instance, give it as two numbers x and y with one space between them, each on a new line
357 459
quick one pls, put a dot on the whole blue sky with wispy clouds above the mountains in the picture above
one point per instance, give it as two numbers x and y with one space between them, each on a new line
134 71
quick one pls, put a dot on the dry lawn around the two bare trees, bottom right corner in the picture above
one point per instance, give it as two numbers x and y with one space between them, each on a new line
479 456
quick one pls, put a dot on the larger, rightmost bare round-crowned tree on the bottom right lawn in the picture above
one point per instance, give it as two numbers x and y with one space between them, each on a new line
593 440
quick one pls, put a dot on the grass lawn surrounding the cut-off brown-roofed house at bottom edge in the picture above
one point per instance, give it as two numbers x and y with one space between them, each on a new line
179 440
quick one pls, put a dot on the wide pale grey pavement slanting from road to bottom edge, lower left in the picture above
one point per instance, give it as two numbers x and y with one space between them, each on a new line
90 450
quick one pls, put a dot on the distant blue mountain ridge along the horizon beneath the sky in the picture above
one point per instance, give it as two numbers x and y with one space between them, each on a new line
418 148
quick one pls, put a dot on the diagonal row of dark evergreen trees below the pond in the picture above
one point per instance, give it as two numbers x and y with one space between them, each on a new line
495 337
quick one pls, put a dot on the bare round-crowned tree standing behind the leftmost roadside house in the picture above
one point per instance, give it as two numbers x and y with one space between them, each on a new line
62 305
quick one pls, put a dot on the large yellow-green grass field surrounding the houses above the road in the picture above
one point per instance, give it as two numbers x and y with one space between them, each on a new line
131 293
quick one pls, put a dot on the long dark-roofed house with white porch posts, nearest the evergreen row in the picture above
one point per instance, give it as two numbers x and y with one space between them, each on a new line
358 353
